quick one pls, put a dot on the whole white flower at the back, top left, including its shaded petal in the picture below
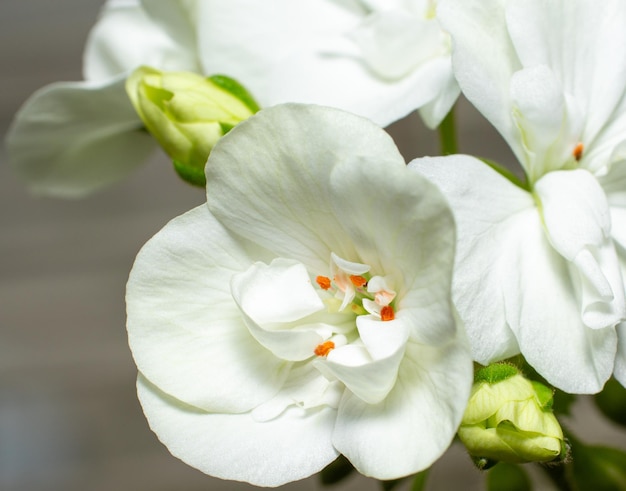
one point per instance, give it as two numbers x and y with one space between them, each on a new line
381 60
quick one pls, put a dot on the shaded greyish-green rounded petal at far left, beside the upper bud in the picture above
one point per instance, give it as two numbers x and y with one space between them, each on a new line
72 138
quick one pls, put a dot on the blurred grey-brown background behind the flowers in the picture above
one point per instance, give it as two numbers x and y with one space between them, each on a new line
69 418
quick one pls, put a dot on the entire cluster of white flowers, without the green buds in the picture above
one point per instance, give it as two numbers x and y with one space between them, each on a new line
328 298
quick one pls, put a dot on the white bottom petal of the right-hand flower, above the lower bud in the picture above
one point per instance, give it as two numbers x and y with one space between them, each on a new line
543 310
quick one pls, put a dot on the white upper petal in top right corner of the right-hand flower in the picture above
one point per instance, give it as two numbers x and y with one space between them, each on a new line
584 60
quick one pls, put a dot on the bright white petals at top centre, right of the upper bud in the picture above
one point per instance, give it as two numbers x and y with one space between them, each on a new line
378 58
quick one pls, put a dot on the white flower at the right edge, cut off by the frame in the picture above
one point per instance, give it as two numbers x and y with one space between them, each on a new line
541 269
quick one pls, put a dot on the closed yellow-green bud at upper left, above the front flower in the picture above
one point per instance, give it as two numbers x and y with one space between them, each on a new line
188 113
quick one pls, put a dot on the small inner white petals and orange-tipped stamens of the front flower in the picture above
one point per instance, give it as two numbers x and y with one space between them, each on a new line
345 324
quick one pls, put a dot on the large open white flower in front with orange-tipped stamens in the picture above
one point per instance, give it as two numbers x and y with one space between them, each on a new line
304 311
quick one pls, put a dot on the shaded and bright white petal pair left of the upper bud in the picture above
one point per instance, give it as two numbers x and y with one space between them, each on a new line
71 138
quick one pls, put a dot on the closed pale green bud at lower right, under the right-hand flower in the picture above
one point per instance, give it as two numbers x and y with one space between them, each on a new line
510 419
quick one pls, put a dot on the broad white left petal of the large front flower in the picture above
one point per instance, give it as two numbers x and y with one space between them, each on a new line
185 331
